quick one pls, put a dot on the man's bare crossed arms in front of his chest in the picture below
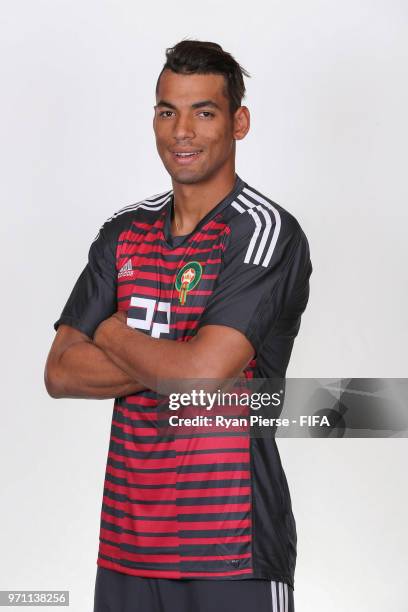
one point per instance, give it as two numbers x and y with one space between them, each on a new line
120 361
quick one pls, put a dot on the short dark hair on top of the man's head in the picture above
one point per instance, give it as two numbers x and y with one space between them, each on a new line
198 57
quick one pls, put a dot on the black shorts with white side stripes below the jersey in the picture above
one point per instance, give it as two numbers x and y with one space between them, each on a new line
117 592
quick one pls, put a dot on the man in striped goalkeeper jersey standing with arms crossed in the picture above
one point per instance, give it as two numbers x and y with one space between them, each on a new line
206 281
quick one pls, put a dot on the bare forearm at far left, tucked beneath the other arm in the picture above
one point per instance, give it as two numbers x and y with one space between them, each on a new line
85 371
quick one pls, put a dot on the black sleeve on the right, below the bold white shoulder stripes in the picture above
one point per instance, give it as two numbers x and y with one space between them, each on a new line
251 297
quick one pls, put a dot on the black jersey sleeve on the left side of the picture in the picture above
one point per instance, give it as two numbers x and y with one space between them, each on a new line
93 298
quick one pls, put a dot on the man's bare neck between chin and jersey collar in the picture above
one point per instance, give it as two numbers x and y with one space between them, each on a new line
193 202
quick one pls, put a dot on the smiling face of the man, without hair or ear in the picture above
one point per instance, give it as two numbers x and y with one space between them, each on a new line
193 126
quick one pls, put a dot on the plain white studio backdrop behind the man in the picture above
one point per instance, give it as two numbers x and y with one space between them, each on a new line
328 97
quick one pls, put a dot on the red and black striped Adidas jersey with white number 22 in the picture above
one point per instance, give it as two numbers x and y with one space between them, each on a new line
197 506
